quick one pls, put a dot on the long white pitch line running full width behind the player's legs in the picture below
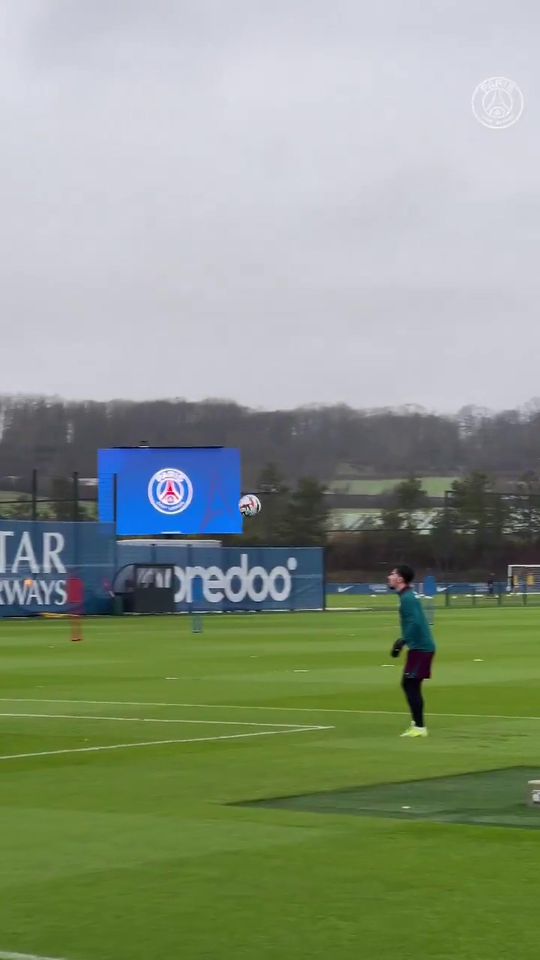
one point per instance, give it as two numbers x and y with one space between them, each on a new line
244 706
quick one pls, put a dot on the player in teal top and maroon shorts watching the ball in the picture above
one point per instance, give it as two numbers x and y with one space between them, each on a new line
416 635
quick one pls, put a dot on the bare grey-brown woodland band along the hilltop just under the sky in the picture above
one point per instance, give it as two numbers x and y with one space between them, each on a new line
60 436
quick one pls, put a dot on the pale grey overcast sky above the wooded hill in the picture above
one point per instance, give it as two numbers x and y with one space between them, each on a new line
280 203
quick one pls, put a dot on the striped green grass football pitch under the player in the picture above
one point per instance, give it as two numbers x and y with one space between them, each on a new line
243 793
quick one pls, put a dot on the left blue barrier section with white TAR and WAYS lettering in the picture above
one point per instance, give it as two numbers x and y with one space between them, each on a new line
37 559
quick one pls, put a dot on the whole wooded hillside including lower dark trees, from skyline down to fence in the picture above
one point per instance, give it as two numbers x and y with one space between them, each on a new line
290 457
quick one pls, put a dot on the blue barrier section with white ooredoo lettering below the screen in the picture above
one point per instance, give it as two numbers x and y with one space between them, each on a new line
234 578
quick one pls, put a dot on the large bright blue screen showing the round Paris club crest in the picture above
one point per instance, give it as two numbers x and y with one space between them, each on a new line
170 490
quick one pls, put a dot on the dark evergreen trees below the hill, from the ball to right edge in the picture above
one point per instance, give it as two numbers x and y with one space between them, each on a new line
477 532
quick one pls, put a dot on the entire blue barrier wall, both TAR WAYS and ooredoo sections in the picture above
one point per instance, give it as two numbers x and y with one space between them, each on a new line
37 560
